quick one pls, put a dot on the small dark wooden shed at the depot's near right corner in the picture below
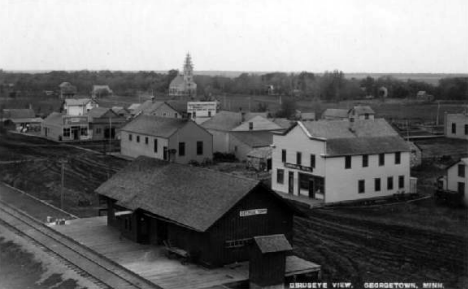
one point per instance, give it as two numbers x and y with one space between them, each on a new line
268 261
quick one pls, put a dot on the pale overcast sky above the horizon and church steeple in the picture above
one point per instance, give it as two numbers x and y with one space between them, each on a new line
380 36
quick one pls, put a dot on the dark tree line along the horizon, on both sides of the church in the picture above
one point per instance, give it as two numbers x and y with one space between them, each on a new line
328 86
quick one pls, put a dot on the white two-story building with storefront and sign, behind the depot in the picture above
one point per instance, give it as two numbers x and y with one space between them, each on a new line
339 160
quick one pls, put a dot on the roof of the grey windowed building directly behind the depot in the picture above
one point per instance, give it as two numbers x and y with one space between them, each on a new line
155 126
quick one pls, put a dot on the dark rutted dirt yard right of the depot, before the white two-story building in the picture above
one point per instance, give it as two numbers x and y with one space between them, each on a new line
401 243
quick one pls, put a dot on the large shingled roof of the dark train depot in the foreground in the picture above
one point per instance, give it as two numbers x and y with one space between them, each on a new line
197 202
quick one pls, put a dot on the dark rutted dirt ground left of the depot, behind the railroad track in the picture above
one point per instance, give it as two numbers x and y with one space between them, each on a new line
33 165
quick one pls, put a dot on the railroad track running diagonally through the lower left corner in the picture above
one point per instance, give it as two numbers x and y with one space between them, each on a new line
102 271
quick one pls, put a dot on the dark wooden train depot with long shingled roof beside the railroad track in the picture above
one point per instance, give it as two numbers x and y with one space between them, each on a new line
210 216
